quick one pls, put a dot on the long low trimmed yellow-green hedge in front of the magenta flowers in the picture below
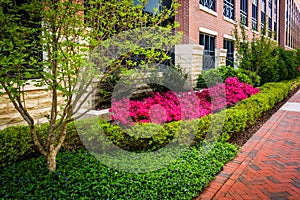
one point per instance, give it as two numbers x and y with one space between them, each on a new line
16 142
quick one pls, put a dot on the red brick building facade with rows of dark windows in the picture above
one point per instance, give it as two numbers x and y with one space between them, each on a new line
210 23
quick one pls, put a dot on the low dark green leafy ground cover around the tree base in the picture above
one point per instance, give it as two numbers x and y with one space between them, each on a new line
80 175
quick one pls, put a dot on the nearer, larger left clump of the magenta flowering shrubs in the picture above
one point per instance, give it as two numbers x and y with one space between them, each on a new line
159 108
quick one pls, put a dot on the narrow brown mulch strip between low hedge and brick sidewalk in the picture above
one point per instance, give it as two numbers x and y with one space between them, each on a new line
243 137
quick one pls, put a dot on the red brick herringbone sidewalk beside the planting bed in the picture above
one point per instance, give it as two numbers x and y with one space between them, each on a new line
267 166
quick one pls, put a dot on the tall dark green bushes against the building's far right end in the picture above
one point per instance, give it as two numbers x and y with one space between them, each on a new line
263 56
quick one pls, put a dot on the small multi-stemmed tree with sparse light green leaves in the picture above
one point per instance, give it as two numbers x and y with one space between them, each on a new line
57 29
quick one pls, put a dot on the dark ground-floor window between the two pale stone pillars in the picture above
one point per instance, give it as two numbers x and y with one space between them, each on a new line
209 43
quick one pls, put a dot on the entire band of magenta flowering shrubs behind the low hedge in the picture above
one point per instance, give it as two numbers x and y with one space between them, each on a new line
160 108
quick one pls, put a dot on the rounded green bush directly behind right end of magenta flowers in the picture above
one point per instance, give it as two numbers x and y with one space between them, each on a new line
210 77
